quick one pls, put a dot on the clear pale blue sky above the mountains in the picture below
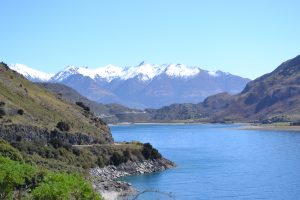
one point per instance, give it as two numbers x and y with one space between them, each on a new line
247 38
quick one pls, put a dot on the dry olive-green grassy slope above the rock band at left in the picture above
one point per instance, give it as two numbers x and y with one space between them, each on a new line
41 108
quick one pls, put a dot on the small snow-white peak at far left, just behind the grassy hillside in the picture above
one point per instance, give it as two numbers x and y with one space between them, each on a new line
31 74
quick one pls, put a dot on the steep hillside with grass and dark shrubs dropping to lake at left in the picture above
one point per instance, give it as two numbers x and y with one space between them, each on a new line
45 130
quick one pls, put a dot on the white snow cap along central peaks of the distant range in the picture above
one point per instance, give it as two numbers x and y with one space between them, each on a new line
144 71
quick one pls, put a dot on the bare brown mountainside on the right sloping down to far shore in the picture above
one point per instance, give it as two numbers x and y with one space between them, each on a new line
272 97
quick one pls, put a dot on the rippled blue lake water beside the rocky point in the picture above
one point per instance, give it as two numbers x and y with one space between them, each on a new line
219 162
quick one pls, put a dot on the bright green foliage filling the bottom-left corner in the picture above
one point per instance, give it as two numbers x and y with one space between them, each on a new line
19 180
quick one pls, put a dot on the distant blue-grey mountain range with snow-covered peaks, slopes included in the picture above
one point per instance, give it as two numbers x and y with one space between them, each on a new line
142 86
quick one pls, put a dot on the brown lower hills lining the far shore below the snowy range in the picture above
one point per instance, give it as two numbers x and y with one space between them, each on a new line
273 97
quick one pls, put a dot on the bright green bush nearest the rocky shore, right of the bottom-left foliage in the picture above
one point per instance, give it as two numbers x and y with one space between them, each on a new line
64 187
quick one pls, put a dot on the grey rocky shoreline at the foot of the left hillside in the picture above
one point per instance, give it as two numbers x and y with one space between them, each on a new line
105 179
